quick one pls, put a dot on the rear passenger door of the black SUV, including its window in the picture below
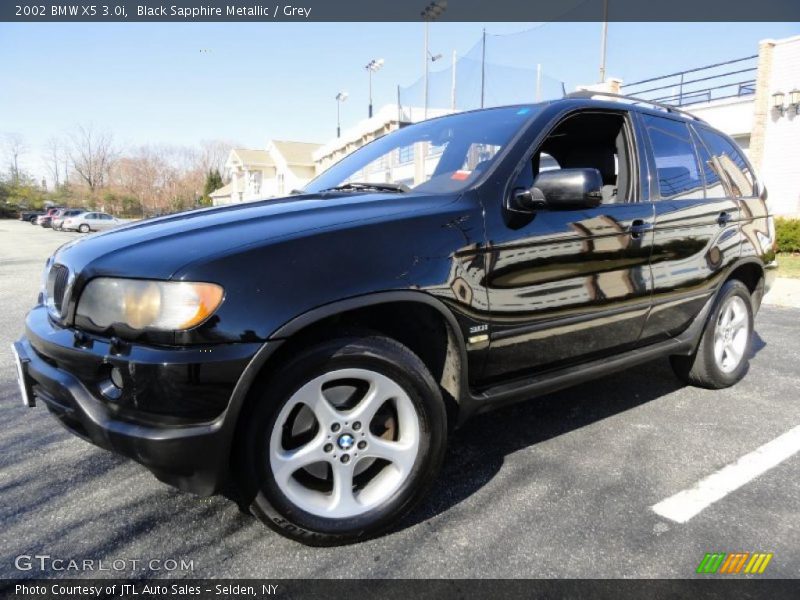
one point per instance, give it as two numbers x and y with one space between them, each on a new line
695 237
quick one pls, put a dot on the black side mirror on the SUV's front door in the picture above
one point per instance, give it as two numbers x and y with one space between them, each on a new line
562 189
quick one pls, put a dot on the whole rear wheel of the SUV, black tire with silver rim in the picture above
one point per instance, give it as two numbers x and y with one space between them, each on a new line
722 356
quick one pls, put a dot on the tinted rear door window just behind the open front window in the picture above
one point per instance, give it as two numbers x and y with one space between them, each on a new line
676 163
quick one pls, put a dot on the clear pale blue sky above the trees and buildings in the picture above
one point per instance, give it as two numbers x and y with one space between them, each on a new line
180 83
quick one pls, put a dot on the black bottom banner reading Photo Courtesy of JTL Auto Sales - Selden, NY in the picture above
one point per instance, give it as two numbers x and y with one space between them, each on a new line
396 589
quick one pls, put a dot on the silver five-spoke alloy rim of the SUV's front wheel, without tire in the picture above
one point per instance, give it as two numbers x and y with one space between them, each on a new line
344 443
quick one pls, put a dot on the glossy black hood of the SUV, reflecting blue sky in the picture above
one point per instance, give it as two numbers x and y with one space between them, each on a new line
160 247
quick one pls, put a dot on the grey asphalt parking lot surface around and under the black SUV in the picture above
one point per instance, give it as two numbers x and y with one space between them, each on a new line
561 486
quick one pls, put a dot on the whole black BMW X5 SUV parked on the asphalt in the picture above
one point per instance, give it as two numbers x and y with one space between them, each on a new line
314 349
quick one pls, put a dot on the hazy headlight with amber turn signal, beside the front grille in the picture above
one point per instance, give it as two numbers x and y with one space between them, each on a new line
142 304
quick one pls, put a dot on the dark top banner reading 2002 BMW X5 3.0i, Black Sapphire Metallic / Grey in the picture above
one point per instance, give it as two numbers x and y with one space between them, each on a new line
397 10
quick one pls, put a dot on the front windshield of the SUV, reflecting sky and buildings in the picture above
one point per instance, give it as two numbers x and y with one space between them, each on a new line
440 155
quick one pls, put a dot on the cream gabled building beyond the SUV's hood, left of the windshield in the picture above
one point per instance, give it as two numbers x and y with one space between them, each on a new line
257 174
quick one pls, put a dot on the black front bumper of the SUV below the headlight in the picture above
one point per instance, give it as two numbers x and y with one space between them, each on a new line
185 441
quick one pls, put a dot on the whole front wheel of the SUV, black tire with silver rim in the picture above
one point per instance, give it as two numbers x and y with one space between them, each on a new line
299 448
